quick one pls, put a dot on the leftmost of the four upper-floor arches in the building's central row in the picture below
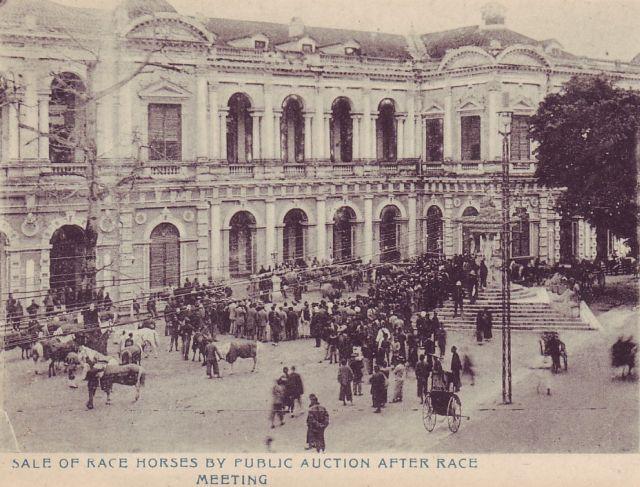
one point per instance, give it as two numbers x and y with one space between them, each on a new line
239 129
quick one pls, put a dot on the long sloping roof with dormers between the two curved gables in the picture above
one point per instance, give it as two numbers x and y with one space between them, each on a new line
374 44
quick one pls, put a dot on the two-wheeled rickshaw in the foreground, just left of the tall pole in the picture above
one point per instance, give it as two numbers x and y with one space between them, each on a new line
442 401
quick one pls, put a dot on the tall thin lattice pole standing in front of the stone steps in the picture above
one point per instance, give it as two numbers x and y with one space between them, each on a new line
505 130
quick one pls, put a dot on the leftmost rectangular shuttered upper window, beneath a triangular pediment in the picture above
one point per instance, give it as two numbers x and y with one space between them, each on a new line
165 132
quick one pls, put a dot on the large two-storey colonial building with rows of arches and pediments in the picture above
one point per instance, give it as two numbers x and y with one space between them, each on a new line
225 145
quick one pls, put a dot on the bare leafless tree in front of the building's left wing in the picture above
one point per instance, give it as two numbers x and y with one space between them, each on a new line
81 142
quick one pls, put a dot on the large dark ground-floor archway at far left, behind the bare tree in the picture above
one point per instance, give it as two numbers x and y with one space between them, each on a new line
67 257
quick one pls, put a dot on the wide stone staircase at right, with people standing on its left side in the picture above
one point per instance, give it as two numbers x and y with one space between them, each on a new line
527 312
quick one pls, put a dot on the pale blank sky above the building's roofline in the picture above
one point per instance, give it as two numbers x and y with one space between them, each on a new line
603 29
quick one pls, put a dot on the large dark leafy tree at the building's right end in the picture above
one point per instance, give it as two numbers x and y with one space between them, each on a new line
587 137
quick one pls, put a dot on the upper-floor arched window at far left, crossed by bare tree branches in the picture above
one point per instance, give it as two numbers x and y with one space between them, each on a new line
67 121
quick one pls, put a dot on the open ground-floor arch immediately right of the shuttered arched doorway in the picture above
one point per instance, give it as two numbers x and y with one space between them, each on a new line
242 243
